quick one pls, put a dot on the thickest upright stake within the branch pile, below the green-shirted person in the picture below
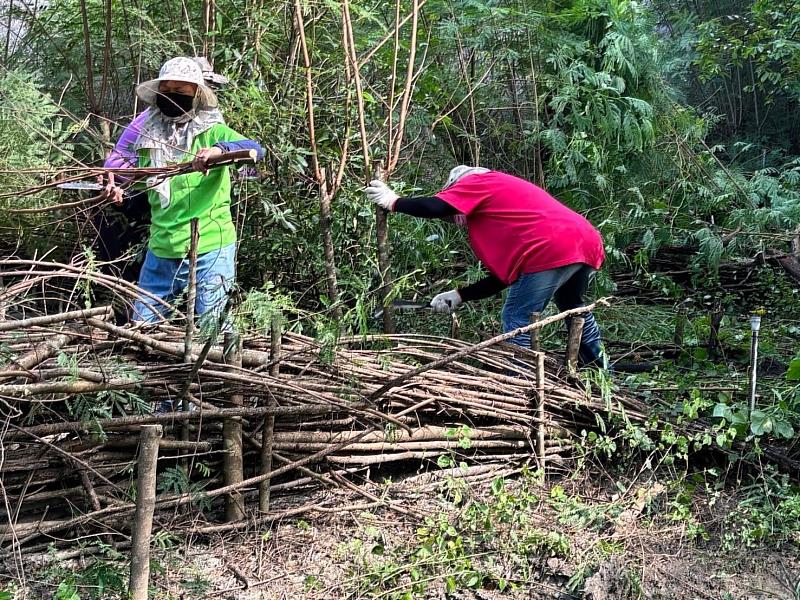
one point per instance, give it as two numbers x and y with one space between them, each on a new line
232 436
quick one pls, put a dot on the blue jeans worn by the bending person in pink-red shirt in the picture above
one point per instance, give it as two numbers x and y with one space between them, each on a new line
566 285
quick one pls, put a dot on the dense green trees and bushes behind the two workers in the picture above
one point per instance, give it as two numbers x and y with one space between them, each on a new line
638 116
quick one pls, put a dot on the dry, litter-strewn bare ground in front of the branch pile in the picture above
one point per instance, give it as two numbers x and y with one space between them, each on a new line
326 555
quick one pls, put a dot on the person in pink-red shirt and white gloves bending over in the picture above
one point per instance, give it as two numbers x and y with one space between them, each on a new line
531 243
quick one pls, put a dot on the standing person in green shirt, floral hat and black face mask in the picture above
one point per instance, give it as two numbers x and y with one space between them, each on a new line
184 123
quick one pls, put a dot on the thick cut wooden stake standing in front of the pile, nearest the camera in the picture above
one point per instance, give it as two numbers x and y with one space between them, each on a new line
145 506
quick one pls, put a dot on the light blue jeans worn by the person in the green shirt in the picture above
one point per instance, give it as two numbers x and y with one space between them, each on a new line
167 278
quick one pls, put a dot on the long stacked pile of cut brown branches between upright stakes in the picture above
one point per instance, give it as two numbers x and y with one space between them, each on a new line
76 388
